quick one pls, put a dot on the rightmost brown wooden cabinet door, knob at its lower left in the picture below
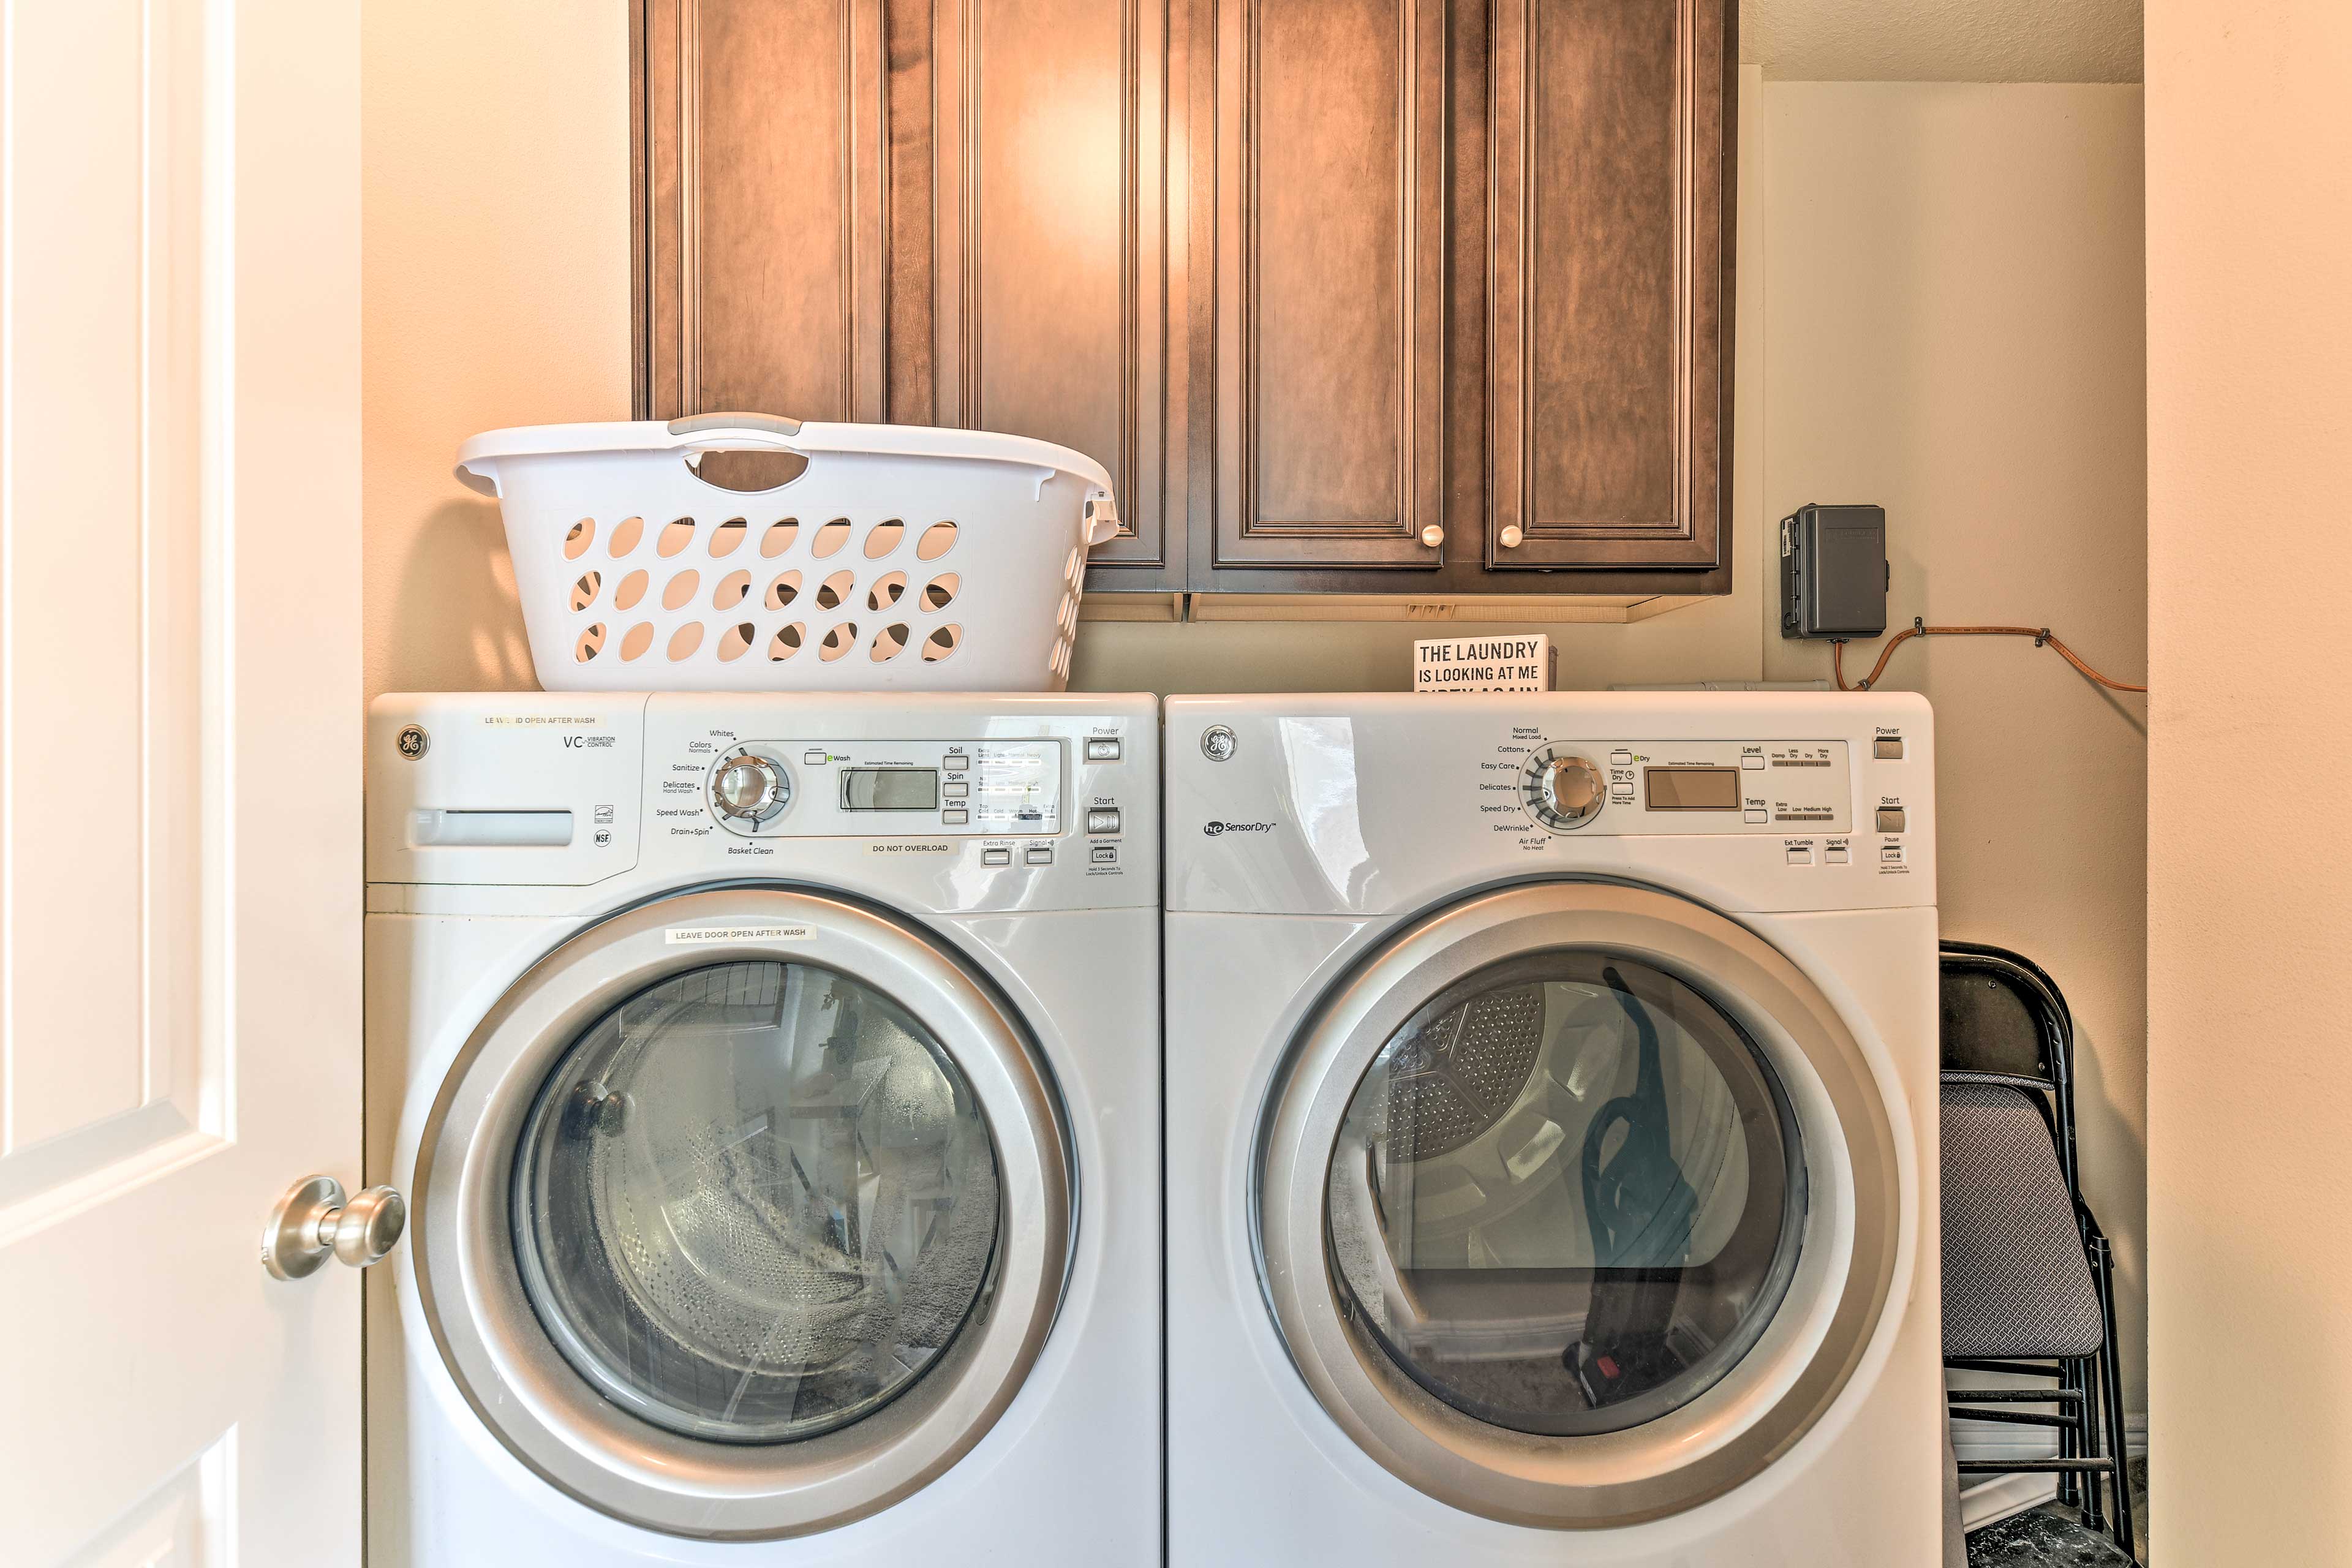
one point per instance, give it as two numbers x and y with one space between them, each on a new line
1610 189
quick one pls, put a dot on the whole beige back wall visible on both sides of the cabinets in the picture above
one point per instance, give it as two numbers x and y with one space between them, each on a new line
1939 311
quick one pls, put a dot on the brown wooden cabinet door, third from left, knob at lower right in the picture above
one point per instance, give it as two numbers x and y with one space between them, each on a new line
1330 283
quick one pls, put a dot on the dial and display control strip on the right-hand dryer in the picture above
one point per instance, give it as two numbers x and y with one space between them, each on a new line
1690 786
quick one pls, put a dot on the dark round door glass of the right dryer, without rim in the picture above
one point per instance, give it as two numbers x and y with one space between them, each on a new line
1568 1195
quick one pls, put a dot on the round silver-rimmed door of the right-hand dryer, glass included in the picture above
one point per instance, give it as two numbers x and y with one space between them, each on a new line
1577 1205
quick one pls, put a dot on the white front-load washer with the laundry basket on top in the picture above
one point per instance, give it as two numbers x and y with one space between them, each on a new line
775 1083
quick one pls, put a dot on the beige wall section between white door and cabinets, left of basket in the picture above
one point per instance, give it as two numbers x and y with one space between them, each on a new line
495 253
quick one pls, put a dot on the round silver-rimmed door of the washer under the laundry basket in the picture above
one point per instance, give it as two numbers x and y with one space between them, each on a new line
744 1214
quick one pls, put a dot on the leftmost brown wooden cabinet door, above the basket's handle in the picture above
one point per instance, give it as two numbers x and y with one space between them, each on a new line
766 217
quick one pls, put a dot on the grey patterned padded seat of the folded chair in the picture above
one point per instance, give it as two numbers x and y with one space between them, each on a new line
2014 1271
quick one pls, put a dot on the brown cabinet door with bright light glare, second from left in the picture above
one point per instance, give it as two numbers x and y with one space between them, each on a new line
1055 248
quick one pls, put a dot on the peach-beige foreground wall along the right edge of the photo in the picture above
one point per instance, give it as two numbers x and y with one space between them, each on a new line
2250 1090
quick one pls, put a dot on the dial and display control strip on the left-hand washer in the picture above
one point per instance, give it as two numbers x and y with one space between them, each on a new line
888 789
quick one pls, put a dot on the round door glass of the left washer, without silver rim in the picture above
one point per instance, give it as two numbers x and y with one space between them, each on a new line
756 1202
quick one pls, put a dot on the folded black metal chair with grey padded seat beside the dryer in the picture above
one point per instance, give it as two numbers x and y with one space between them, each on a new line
2029 1285
